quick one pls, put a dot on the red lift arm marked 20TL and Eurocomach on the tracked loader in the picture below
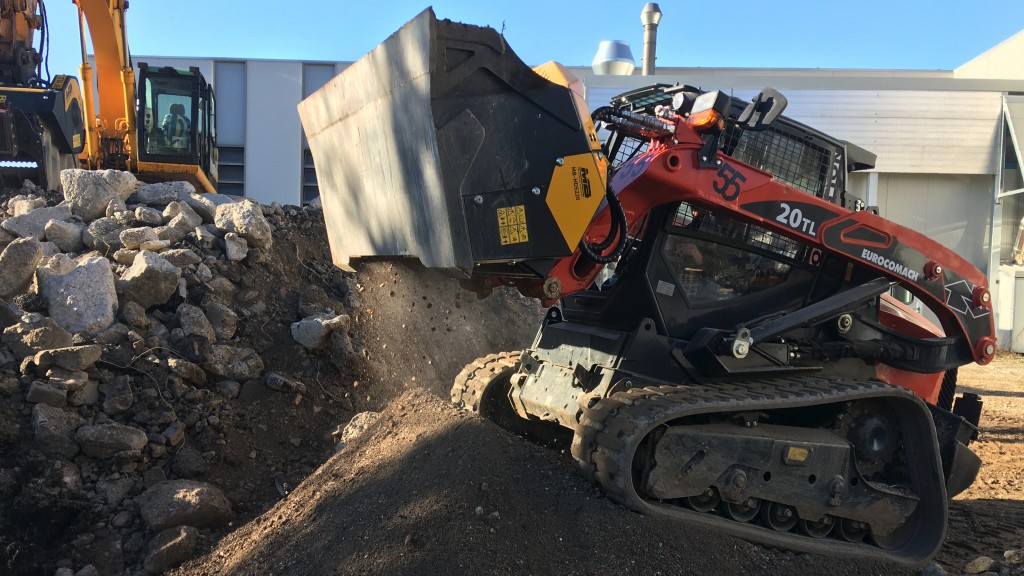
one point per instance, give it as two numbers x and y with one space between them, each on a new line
672 174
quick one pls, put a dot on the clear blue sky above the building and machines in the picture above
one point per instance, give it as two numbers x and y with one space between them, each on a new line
874 34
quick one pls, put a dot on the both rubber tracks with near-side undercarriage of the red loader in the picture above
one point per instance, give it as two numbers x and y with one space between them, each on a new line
786 463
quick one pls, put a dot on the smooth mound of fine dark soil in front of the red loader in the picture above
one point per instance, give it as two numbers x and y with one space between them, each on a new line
429 489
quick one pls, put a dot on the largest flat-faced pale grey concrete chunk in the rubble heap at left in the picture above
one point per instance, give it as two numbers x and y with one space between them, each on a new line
83 300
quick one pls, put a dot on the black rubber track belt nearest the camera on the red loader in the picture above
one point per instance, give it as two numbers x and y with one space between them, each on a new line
610 432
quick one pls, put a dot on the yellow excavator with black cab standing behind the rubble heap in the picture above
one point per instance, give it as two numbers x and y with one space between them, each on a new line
159 127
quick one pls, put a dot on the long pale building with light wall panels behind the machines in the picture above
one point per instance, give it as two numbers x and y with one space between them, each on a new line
949 143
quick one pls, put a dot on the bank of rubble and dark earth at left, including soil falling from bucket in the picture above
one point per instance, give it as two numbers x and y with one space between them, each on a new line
173 363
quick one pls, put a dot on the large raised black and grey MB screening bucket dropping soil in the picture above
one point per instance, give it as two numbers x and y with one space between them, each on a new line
442 145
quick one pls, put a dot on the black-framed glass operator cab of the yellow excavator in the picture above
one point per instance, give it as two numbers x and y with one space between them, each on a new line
178 127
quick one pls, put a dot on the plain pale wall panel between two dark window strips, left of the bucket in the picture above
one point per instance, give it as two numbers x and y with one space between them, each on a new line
274 137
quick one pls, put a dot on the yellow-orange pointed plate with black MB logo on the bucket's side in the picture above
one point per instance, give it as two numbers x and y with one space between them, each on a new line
576 191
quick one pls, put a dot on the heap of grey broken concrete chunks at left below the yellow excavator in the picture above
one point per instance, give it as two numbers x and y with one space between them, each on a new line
119 343
